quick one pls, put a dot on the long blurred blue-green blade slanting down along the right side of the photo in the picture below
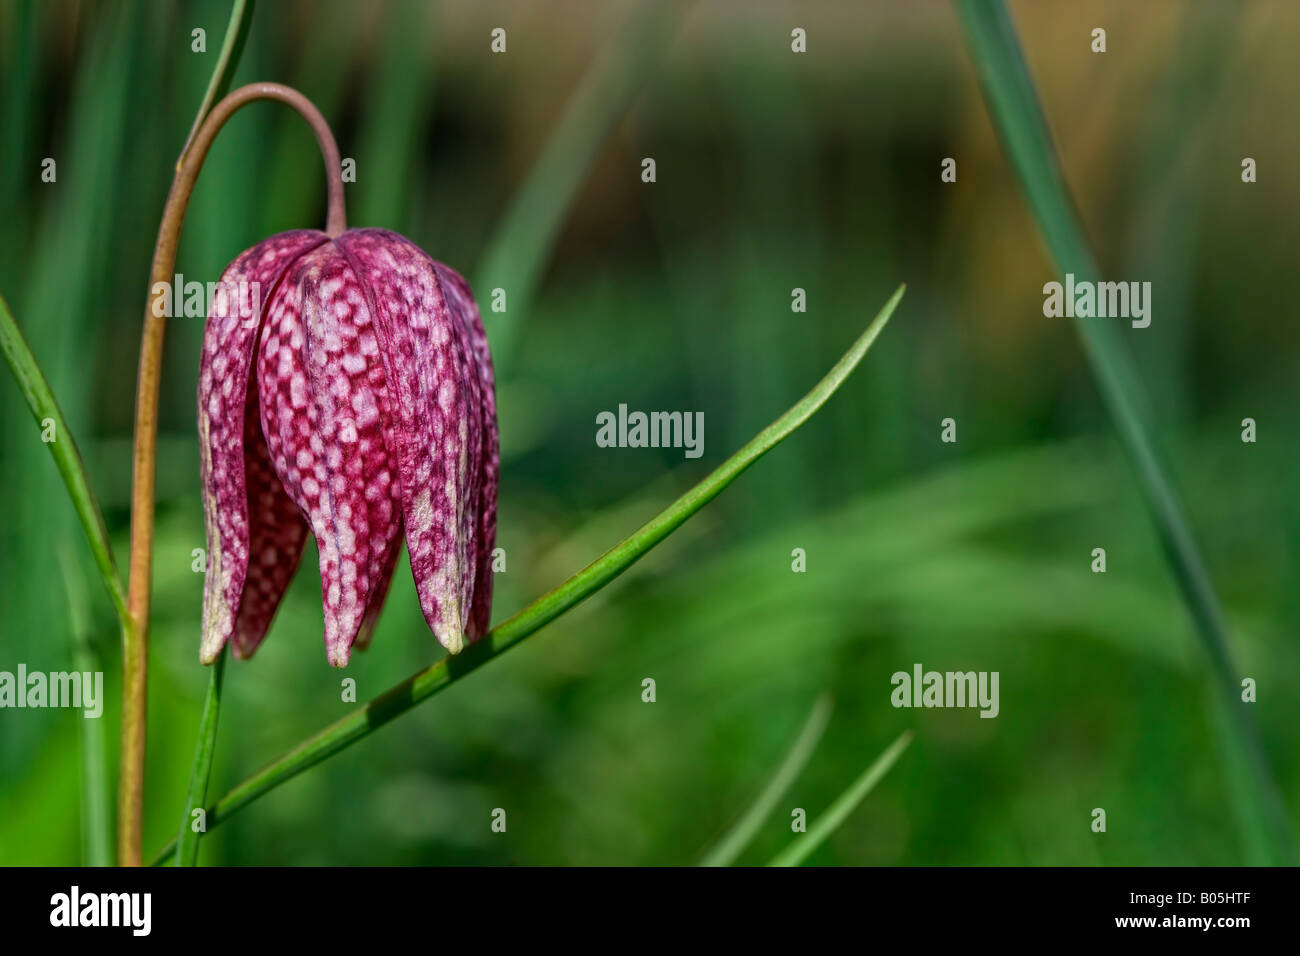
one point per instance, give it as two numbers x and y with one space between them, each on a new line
1019 116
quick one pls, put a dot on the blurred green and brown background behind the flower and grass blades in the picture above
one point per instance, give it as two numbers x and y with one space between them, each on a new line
775 171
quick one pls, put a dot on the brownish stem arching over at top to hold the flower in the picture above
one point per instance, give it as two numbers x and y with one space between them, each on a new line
131 797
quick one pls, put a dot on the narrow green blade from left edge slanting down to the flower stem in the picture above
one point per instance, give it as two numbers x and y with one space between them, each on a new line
45 410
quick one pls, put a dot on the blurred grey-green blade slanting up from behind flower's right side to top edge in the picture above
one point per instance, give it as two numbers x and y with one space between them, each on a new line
515 258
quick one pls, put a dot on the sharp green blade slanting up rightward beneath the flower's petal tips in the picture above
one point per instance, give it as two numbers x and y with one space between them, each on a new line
552 605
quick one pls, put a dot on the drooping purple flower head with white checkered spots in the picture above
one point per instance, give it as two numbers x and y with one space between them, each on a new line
354 400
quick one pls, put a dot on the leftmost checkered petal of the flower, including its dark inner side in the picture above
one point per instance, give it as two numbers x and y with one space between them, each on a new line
246 513
